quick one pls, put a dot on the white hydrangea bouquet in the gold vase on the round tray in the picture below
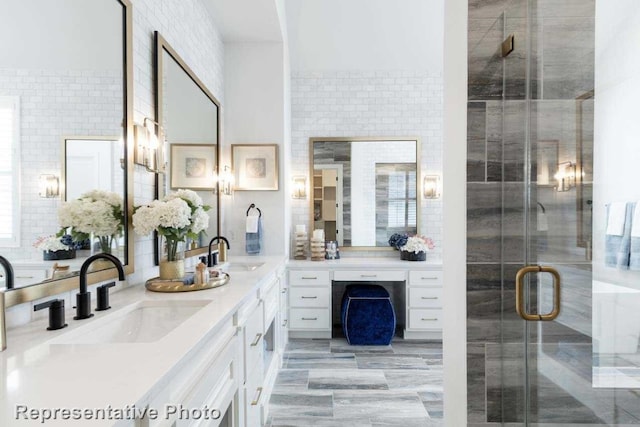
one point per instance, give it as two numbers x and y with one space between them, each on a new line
177 216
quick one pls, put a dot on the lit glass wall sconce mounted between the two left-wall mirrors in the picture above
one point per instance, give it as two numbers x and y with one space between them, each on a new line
149 146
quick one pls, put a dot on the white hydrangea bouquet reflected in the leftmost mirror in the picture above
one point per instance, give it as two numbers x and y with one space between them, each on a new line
98 213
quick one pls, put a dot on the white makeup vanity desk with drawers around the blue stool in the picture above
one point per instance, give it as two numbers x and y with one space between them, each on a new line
316 287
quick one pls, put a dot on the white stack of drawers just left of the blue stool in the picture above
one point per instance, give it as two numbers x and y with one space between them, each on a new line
310 303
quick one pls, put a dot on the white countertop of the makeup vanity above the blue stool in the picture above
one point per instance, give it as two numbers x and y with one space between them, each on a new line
381 263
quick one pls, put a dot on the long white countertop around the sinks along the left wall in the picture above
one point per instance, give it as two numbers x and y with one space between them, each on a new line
41 374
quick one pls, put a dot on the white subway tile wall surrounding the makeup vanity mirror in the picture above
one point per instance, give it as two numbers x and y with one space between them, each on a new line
369 103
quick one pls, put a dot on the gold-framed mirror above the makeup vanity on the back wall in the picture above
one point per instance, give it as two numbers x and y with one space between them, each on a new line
363 190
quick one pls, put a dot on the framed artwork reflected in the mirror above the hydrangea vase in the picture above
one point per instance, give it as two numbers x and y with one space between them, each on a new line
193 166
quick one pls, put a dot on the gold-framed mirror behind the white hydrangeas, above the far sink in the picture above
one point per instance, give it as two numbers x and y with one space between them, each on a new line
189 115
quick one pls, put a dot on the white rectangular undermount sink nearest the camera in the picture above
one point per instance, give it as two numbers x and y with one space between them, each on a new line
142 322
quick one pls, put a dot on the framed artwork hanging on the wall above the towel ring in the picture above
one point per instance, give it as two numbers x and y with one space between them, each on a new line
255 166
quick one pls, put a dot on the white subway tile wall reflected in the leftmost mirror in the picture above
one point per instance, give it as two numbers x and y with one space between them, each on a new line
55 104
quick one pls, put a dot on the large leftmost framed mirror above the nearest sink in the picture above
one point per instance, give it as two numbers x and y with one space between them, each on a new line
68 73
